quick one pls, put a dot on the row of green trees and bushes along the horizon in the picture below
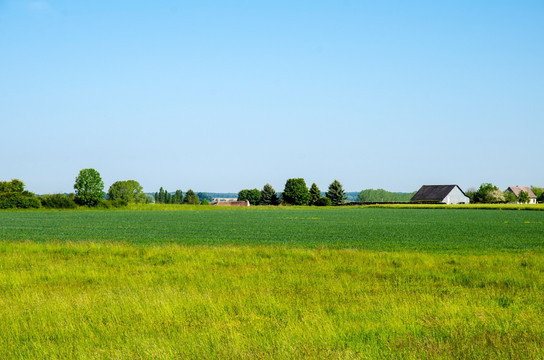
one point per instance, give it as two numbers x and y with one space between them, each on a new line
89 191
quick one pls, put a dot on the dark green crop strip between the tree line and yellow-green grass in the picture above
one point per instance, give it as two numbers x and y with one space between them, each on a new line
381 229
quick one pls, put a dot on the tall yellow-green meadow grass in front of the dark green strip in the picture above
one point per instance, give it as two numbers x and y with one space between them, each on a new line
91 300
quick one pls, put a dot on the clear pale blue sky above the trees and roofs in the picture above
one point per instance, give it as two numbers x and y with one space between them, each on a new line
220 96
